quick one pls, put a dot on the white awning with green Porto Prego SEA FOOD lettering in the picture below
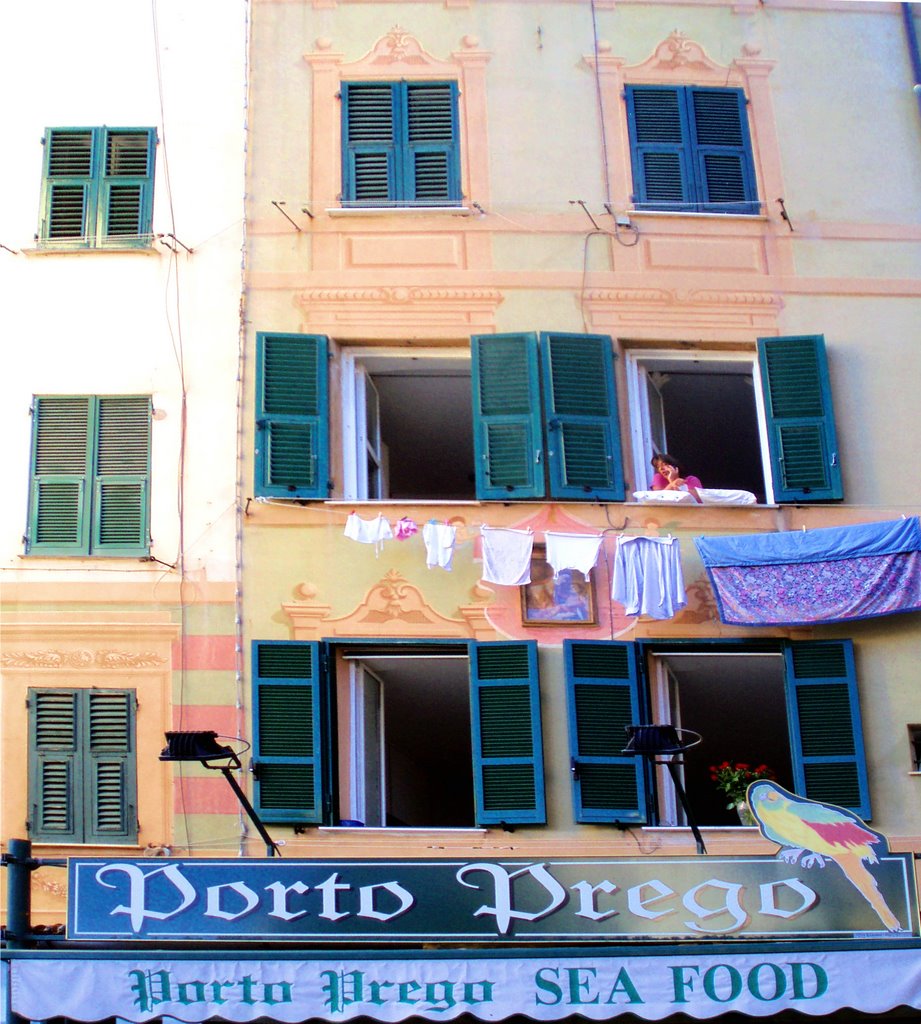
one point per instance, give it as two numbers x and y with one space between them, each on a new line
697 980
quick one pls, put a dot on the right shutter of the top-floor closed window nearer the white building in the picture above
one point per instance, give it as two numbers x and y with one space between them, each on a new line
431 148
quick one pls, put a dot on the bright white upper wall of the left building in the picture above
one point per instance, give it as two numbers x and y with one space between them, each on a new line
91 323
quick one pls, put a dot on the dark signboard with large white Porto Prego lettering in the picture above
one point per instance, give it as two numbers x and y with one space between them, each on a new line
487 901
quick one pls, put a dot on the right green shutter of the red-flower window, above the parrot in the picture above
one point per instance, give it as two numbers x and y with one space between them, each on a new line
826 734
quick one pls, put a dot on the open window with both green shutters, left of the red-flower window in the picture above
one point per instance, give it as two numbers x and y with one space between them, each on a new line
409 735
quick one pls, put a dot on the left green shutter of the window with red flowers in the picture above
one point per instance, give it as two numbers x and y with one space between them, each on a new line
603 698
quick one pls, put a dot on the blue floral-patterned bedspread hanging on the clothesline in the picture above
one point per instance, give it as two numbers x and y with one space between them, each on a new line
803 578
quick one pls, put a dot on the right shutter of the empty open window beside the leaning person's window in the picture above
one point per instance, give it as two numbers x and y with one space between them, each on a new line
507 417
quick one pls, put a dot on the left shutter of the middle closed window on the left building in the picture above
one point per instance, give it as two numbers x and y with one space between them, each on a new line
63 440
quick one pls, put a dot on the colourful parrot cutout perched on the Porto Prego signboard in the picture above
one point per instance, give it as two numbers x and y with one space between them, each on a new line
822 832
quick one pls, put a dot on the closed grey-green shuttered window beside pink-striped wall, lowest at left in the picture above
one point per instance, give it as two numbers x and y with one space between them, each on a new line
82 774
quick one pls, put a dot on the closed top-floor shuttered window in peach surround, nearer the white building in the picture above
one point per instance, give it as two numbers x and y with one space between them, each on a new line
400 144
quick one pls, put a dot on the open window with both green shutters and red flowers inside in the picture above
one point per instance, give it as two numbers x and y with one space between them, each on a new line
790 705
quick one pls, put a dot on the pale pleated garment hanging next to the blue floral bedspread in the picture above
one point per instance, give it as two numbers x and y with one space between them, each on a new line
648 577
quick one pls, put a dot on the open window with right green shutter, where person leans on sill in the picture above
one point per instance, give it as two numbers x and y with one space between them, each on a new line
761 421
